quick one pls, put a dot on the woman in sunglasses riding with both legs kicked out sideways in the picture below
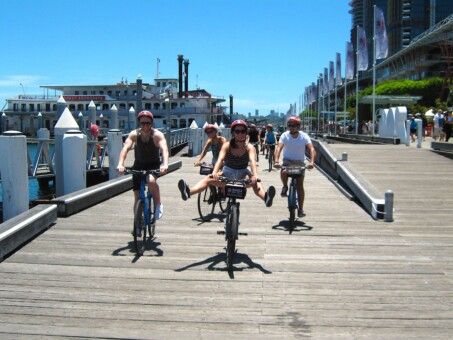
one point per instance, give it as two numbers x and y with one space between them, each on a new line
235 156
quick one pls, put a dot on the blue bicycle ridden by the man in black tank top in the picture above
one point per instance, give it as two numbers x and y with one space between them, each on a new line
144 219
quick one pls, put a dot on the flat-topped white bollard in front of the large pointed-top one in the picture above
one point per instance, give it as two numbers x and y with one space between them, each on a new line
74 146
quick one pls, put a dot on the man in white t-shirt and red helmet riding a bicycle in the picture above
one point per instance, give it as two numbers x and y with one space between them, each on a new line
293 143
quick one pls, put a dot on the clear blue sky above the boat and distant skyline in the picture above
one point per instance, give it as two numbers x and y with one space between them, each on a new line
263 52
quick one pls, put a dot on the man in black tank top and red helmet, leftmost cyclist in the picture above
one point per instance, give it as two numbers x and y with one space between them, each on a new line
148 142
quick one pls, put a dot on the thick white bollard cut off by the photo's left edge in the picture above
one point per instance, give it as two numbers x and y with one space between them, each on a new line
13 168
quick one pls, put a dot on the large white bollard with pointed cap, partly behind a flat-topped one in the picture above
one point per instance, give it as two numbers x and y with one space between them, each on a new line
64 124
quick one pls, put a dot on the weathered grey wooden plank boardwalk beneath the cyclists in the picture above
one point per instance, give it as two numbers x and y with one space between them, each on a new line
340 274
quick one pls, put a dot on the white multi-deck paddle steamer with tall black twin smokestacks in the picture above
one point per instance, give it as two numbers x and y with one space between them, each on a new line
128 99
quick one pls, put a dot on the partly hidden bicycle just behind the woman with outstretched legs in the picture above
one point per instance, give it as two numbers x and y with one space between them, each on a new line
209 197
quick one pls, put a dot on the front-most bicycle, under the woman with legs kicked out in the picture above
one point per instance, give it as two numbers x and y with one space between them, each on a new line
234 189
